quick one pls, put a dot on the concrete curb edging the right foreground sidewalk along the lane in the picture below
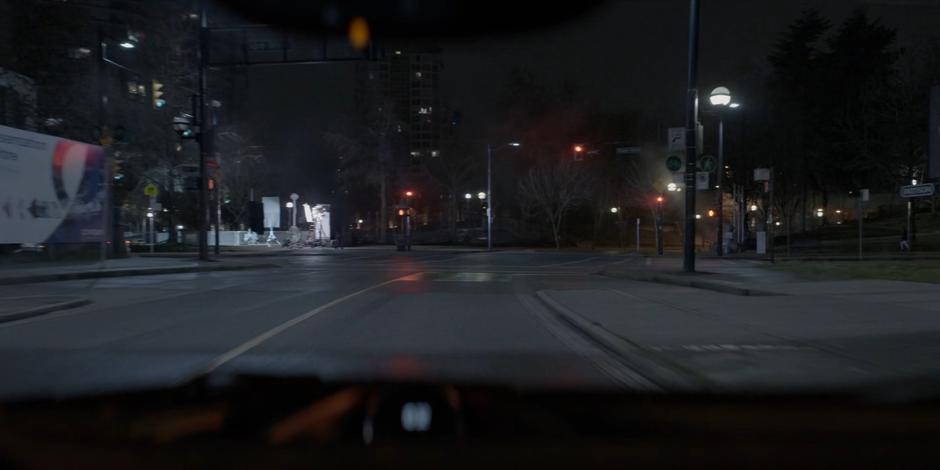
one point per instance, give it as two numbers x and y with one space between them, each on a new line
668 377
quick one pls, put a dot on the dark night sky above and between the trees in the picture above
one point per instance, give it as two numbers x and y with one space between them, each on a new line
624 55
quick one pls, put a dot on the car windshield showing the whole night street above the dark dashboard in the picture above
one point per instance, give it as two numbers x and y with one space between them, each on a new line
626 196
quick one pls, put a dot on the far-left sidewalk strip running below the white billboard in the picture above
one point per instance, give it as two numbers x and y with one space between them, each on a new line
24 273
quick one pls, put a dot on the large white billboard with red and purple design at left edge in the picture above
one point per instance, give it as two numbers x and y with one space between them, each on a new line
52 190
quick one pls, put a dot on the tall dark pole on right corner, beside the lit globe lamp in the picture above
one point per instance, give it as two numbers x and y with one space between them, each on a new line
691 124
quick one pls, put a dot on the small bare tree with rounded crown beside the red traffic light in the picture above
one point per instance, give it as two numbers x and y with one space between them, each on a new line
554 189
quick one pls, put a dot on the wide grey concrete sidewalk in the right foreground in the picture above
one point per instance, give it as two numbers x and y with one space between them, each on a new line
823 336
